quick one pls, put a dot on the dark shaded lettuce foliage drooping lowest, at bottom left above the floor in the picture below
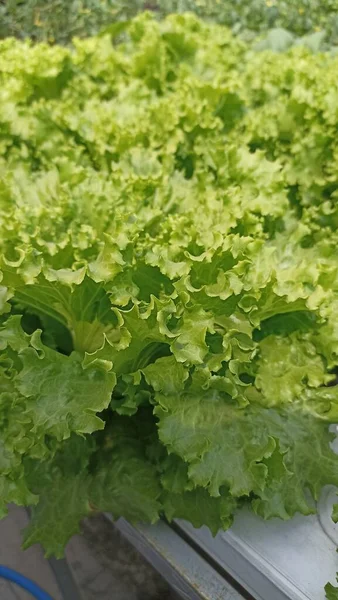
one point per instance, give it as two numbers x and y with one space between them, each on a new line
77 482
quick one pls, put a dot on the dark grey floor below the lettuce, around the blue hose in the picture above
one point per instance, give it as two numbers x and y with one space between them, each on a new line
104 565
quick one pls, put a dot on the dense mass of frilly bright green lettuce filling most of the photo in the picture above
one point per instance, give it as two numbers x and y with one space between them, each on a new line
169 279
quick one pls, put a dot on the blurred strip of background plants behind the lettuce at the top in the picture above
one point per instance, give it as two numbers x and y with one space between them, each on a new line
60 20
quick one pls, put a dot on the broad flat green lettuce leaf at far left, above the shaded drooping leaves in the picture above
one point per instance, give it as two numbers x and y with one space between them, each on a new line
61 395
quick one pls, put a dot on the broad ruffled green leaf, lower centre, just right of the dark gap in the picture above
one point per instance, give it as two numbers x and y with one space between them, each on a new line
230 453
